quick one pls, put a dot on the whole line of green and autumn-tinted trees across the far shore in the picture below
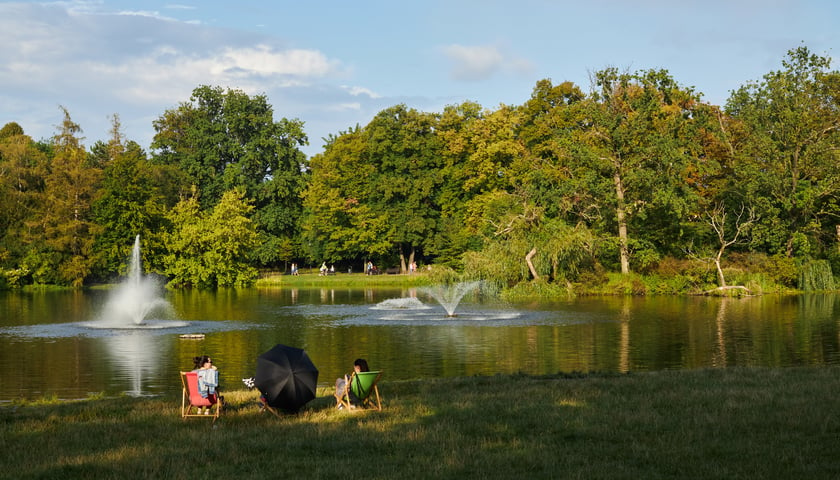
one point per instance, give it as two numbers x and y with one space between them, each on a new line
636 175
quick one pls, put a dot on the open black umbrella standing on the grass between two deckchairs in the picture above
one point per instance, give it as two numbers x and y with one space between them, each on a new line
286 377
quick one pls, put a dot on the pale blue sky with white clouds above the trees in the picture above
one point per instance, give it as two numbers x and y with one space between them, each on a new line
336 64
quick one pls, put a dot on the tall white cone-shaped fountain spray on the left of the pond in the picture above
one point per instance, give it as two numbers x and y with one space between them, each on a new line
133 302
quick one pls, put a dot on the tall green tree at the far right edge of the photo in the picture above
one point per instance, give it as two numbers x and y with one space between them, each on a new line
787 166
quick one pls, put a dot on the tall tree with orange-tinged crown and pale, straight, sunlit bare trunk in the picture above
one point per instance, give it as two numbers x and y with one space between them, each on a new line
644 136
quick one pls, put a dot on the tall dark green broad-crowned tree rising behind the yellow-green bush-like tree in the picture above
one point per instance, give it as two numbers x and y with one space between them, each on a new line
224 140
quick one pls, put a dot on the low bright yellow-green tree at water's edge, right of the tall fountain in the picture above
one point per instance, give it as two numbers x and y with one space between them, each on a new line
211 248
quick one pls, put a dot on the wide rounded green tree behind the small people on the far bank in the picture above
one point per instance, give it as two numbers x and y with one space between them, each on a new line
373 190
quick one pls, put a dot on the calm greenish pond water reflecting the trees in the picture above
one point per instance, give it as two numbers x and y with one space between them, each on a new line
48 346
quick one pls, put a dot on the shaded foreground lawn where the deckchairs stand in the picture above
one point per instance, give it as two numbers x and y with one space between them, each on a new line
727 423
